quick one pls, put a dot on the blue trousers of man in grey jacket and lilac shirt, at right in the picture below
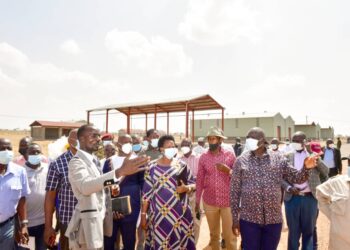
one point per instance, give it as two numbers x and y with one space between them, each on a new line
301 215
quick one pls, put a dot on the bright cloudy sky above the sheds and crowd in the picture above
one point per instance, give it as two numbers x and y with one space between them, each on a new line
60 58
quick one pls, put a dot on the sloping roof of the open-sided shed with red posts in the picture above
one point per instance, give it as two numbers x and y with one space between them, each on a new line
202 102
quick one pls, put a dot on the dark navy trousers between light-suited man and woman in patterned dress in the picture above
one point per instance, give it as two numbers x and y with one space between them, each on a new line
127 231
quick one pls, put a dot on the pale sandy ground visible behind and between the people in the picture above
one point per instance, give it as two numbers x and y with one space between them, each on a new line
322 222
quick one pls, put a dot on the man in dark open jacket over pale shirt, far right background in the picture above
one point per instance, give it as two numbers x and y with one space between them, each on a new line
332 158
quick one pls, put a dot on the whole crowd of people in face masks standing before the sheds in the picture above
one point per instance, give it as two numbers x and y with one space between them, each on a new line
239 188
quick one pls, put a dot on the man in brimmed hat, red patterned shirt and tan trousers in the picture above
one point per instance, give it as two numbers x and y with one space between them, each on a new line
213 182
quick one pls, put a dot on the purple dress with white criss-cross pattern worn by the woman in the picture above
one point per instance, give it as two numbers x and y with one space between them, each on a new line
170 222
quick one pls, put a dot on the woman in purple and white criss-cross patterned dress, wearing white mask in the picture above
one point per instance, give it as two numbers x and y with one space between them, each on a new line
166 214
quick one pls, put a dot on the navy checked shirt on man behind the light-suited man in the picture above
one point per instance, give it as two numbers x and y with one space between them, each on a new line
57 180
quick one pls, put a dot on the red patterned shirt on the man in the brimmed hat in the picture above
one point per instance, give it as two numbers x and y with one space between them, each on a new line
214 184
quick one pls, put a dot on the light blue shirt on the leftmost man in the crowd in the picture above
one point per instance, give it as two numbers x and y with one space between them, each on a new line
13 186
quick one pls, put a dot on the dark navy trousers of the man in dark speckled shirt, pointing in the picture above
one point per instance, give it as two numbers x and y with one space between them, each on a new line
260 237
